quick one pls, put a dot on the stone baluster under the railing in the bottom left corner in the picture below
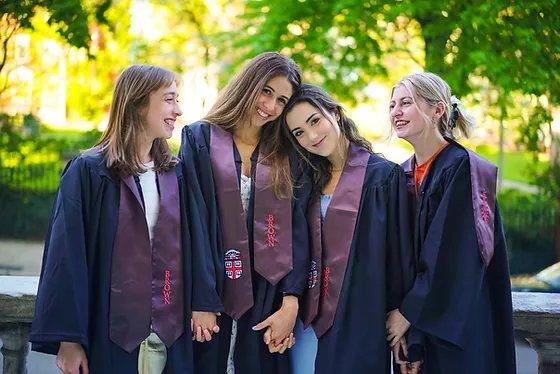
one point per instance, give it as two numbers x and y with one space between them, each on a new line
15 348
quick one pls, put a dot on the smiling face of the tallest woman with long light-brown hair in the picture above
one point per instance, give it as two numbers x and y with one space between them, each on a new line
272 100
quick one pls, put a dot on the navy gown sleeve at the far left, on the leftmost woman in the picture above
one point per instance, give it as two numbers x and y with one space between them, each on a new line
61 310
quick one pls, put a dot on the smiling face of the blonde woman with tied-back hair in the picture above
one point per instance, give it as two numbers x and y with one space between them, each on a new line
411 117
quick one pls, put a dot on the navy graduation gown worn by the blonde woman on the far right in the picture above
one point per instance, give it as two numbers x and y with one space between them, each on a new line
460 310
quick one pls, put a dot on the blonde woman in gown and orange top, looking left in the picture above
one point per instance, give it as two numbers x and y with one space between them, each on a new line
459 308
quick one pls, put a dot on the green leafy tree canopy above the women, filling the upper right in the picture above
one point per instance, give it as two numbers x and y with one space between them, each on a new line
345 44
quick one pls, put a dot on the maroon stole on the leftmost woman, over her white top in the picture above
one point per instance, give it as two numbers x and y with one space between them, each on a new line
147 281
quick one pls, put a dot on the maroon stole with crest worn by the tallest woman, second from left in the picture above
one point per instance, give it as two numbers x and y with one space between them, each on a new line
272 235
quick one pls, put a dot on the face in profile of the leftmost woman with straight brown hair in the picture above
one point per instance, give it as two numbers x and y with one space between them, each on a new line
162 112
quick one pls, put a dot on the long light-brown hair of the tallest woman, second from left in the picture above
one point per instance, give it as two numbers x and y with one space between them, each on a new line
236 104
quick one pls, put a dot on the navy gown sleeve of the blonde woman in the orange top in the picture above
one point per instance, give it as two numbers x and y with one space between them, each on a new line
450 269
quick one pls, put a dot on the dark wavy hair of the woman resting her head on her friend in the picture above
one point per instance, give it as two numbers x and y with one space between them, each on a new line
323 102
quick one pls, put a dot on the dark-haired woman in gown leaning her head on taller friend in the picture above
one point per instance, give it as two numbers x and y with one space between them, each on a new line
362 260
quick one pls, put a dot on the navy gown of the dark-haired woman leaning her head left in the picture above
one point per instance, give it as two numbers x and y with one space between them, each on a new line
379 272
